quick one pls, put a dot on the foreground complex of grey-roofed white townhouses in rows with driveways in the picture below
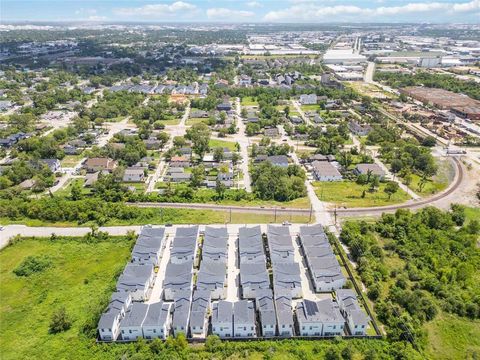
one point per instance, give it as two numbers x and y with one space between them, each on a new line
246 284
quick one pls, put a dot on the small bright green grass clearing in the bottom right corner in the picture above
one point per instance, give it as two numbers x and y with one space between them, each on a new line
452 337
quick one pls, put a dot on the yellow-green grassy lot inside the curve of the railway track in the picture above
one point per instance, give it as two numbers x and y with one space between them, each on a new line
349 194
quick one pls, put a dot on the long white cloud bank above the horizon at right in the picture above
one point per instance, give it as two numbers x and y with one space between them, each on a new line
310 11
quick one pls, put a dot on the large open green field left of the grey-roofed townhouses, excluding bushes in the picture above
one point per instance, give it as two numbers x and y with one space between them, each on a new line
81 278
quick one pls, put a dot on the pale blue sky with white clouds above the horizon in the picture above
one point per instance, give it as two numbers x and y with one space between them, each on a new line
243 11
